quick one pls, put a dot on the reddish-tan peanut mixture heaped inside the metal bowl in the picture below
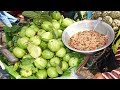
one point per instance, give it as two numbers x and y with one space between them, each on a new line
88 40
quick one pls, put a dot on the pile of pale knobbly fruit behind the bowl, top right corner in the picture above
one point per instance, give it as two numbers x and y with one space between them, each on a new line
110 17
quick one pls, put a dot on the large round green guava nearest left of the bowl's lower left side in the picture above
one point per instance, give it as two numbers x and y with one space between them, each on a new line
54 45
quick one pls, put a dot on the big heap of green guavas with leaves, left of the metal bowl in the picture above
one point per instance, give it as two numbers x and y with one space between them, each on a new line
39 48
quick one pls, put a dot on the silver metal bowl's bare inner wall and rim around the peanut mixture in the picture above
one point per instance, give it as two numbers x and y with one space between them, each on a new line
84 25
